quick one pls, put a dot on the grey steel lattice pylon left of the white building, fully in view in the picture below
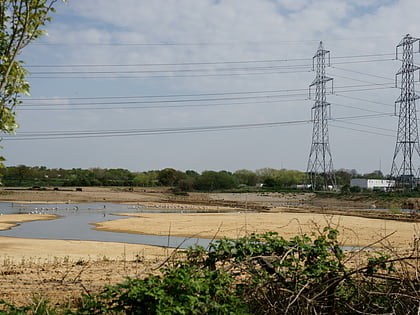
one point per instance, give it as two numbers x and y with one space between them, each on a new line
320 165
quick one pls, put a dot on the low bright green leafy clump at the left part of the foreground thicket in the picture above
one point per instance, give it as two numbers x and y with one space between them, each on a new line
185 289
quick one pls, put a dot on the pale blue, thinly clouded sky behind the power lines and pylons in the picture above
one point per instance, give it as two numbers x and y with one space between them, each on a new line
210 84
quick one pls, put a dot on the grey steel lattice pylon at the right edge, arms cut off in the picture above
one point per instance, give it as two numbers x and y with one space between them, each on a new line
407 151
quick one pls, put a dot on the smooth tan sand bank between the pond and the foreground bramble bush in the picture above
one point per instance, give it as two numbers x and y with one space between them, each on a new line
354 231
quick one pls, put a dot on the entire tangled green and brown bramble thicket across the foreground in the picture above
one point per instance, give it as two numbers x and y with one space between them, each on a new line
264 274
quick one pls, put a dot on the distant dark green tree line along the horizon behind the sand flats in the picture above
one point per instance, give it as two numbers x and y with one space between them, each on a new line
190 180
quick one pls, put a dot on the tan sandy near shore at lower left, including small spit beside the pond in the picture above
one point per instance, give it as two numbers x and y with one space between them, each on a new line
60 271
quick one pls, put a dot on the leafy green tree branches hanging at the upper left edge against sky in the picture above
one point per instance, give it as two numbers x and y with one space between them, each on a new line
21 22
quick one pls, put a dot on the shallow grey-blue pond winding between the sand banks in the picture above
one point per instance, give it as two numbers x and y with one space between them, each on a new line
75 224
